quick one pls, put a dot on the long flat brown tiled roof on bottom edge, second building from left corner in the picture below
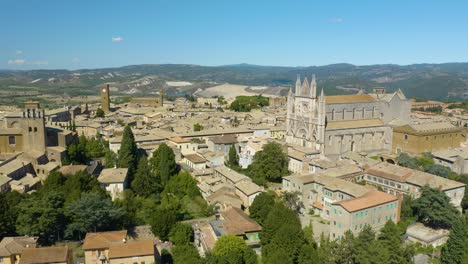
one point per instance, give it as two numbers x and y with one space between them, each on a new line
44 255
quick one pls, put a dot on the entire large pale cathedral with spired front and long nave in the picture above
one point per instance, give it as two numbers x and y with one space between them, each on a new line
330 126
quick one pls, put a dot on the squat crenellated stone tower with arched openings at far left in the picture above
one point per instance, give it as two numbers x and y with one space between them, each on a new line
33 127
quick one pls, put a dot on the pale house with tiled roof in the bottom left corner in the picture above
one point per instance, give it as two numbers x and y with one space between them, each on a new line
12 247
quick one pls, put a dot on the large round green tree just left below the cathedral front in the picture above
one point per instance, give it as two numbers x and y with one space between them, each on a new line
269 164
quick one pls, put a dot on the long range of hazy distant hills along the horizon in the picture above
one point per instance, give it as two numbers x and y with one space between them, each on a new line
431 81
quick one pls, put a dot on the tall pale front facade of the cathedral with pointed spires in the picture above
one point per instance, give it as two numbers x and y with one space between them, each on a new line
305 121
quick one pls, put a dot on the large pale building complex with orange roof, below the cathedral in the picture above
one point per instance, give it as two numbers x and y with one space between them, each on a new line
347 205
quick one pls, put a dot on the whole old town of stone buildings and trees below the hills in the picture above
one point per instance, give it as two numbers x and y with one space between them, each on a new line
293 179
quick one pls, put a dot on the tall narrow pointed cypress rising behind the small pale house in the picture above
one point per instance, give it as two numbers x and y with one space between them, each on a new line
128 153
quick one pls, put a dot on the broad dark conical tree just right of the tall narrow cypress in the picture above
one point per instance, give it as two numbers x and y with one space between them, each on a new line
163 163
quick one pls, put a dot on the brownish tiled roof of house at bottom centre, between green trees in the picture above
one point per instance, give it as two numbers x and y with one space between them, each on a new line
238 223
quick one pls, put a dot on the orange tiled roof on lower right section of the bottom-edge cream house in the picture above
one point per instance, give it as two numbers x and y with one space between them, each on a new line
131 249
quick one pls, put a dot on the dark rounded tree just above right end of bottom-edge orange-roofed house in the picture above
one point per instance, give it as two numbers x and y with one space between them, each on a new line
162 222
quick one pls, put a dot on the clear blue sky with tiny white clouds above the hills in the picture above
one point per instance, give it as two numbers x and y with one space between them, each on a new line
62 34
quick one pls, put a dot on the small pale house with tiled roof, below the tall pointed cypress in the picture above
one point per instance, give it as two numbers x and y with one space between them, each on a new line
114 181
